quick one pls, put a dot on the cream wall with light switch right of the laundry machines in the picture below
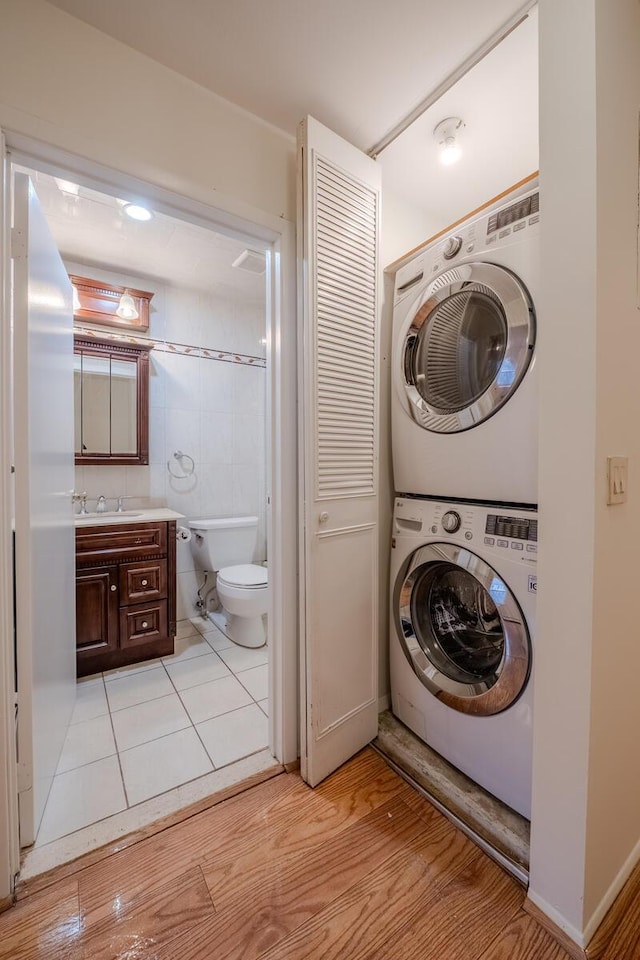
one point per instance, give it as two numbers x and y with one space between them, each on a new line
586 803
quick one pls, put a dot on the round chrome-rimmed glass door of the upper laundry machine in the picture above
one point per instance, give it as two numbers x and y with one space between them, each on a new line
468 347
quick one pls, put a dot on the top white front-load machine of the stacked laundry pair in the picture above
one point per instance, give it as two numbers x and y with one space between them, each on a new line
464 394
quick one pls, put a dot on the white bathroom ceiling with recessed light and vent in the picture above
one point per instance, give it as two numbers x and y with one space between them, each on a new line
91 228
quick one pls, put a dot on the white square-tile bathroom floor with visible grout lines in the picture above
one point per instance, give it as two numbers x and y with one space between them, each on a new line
140 731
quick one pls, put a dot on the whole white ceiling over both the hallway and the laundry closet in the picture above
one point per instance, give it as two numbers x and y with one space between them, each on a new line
359 67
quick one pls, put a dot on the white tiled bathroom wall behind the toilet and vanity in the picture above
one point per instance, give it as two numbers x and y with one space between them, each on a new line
211 409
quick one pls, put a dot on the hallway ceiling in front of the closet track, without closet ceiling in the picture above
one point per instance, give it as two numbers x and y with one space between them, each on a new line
358 66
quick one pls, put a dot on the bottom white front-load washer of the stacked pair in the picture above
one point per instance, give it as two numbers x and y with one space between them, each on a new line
463 592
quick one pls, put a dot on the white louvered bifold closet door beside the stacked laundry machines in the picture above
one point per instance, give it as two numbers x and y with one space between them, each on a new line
339 209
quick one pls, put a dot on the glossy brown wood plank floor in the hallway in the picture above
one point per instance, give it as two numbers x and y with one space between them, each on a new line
362 868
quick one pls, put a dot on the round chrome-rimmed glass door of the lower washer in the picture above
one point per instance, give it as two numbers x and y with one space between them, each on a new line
462 629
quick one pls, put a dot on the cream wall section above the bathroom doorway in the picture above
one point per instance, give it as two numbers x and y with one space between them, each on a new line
71 86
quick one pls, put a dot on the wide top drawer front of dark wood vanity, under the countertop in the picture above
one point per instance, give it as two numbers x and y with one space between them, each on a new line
122 541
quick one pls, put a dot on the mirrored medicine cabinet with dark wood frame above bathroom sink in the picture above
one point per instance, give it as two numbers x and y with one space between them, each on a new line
111 401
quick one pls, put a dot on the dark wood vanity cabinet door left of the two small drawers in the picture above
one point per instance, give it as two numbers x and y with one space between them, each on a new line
96 612
